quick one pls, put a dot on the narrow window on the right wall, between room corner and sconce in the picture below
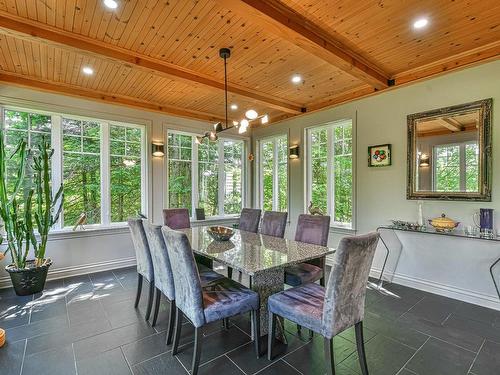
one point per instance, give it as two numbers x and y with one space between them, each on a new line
273 169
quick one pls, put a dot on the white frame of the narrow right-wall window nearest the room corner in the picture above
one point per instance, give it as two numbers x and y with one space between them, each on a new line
260 171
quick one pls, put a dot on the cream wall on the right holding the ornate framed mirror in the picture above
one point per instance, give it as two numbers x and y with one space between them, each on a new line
458 268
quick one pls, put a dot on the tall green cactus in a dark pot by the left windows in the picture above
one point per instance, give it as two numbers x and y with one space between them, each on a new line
37 209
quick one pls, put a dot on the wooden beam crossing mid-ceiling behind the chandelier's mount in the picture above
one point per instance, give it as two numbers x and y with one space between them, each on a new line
80 42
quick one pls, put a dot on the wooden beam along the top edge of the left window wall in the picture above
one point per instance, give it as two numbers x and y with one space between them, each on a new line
17 80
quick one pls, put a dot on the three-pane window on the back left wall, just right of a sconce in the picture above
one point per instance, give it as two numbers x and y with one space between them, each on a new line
207 175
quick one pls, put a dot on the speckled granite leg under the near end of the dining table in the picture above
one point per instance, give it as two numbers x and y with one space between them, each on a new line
266 284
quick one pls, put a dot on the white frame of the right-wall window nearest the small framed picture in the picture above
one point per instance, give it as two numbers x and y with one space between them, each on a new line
329 126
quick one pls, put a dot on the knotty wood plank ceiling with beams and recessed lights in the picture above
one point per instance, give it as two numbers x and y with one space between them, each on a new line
163 55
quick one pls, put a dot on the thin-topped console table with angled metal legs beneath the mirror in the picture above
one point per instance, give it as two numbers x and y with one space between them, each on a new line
494 268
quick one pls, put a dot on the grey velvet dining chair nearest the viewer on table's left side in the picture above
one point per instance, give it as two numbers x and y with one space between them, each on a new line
226 299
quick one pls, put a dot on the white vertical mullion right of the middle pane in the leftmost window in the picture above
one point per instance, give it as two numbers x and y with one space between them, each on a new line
105 175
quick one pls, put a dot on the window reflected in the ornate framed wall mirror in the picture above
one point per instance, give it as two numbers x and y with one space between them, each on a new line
456 167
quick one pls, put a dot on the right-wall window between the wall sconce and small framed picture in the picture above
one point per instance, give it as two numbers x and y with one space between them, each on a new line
330 171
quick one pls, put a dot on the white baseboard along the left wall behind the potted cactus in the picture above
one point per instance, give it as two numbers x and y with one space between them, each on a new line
60 273
